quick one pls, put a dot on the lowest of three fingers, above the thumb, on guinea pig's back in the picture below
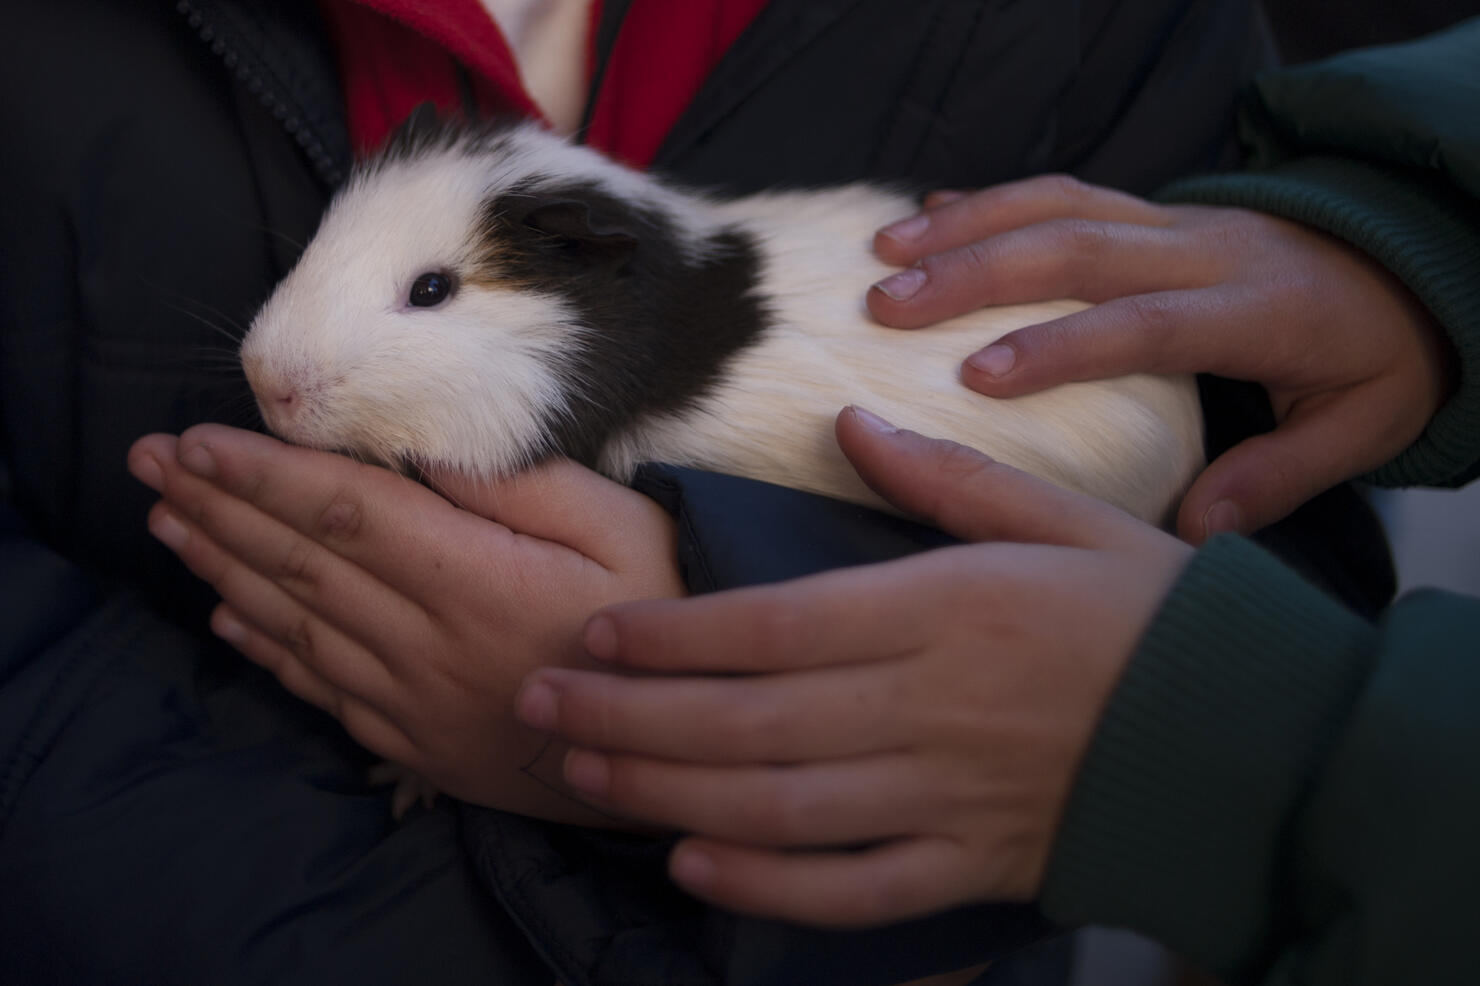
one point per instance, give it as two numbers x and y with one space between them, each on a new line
1195 331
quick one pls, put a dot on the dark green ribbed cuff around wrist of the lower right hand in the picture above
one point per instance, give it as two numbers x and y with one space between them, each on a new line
1177 825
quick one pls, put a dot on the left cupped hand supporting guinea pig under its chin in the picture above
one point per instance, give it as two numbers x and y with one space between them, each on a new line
406 617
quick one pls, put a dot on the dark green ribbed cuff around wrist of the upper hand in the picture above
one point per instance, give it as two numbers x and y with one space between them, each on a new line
1420 230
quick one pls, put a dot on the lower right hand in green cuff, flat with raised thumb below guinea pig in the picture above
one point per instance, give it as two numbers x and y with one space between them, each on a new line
932 710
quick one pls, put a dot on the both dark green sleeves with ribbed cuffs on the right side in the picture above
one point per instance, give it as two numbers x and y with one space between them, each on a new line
1281 791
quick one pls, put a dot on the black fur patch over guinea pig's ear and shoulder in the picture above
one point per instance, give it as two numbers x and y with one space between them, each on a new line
662 323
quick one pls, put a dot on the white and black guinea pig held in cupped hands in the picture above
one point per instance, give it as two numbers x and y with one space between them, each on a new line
488 297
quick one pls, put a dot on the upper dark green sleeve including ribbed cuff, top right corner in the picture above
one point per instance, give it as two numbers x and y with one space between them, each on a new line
1382 149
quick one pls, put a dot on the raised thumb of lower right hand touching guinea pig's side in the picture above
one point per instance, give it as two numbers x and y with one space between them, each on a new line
972 495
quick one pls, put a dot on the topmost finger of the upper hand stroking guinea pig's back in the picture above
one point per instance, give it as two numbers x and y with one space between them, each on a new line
955 223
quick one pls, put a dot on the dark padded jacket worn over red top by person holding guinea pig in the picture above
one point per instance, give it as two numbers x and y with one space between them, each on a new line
166 814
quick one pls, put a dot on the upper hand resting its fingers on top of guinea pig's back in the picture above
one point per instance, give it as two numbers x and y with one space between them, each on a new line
1353 365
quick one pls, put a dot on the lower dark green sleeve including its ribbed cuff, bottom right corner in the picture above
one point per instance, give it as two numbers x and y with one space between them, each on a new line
1284 793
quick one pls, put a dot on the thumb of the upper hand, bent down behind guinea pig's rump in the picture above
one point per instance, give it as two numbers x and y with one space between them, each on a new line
1268 477
